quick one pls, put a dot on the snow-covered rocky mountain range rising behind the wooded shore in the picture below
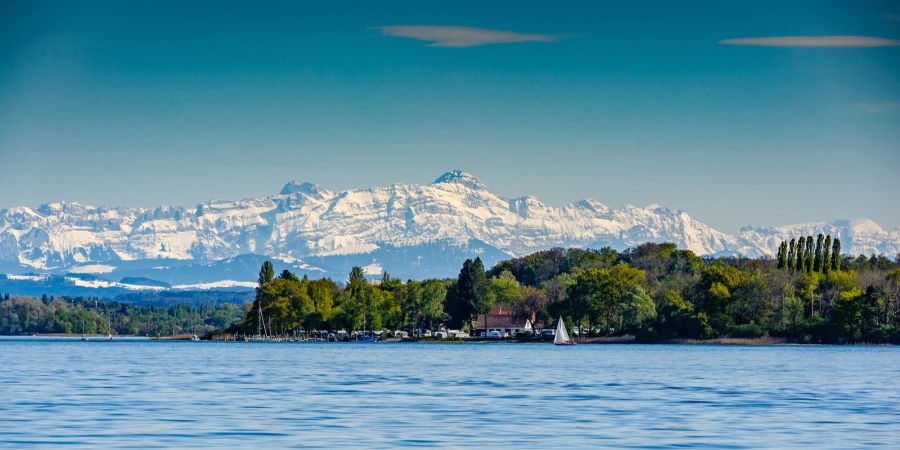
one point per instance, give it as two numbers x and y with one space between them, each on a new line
410 230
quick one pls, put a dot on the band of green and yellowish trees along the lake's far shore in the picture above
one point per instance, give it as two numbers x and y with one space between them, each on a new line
808 293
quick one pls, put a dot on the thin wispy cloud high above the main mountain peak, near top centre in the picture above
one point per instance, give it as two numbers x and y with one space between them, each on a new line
456 36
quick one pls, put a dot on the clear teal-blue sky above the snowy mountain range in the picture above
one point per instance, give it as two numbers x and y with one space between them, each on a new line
144 103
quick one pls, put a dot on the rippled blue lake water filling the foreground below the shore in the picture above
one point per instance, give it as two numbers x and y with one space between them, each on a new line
148 394
